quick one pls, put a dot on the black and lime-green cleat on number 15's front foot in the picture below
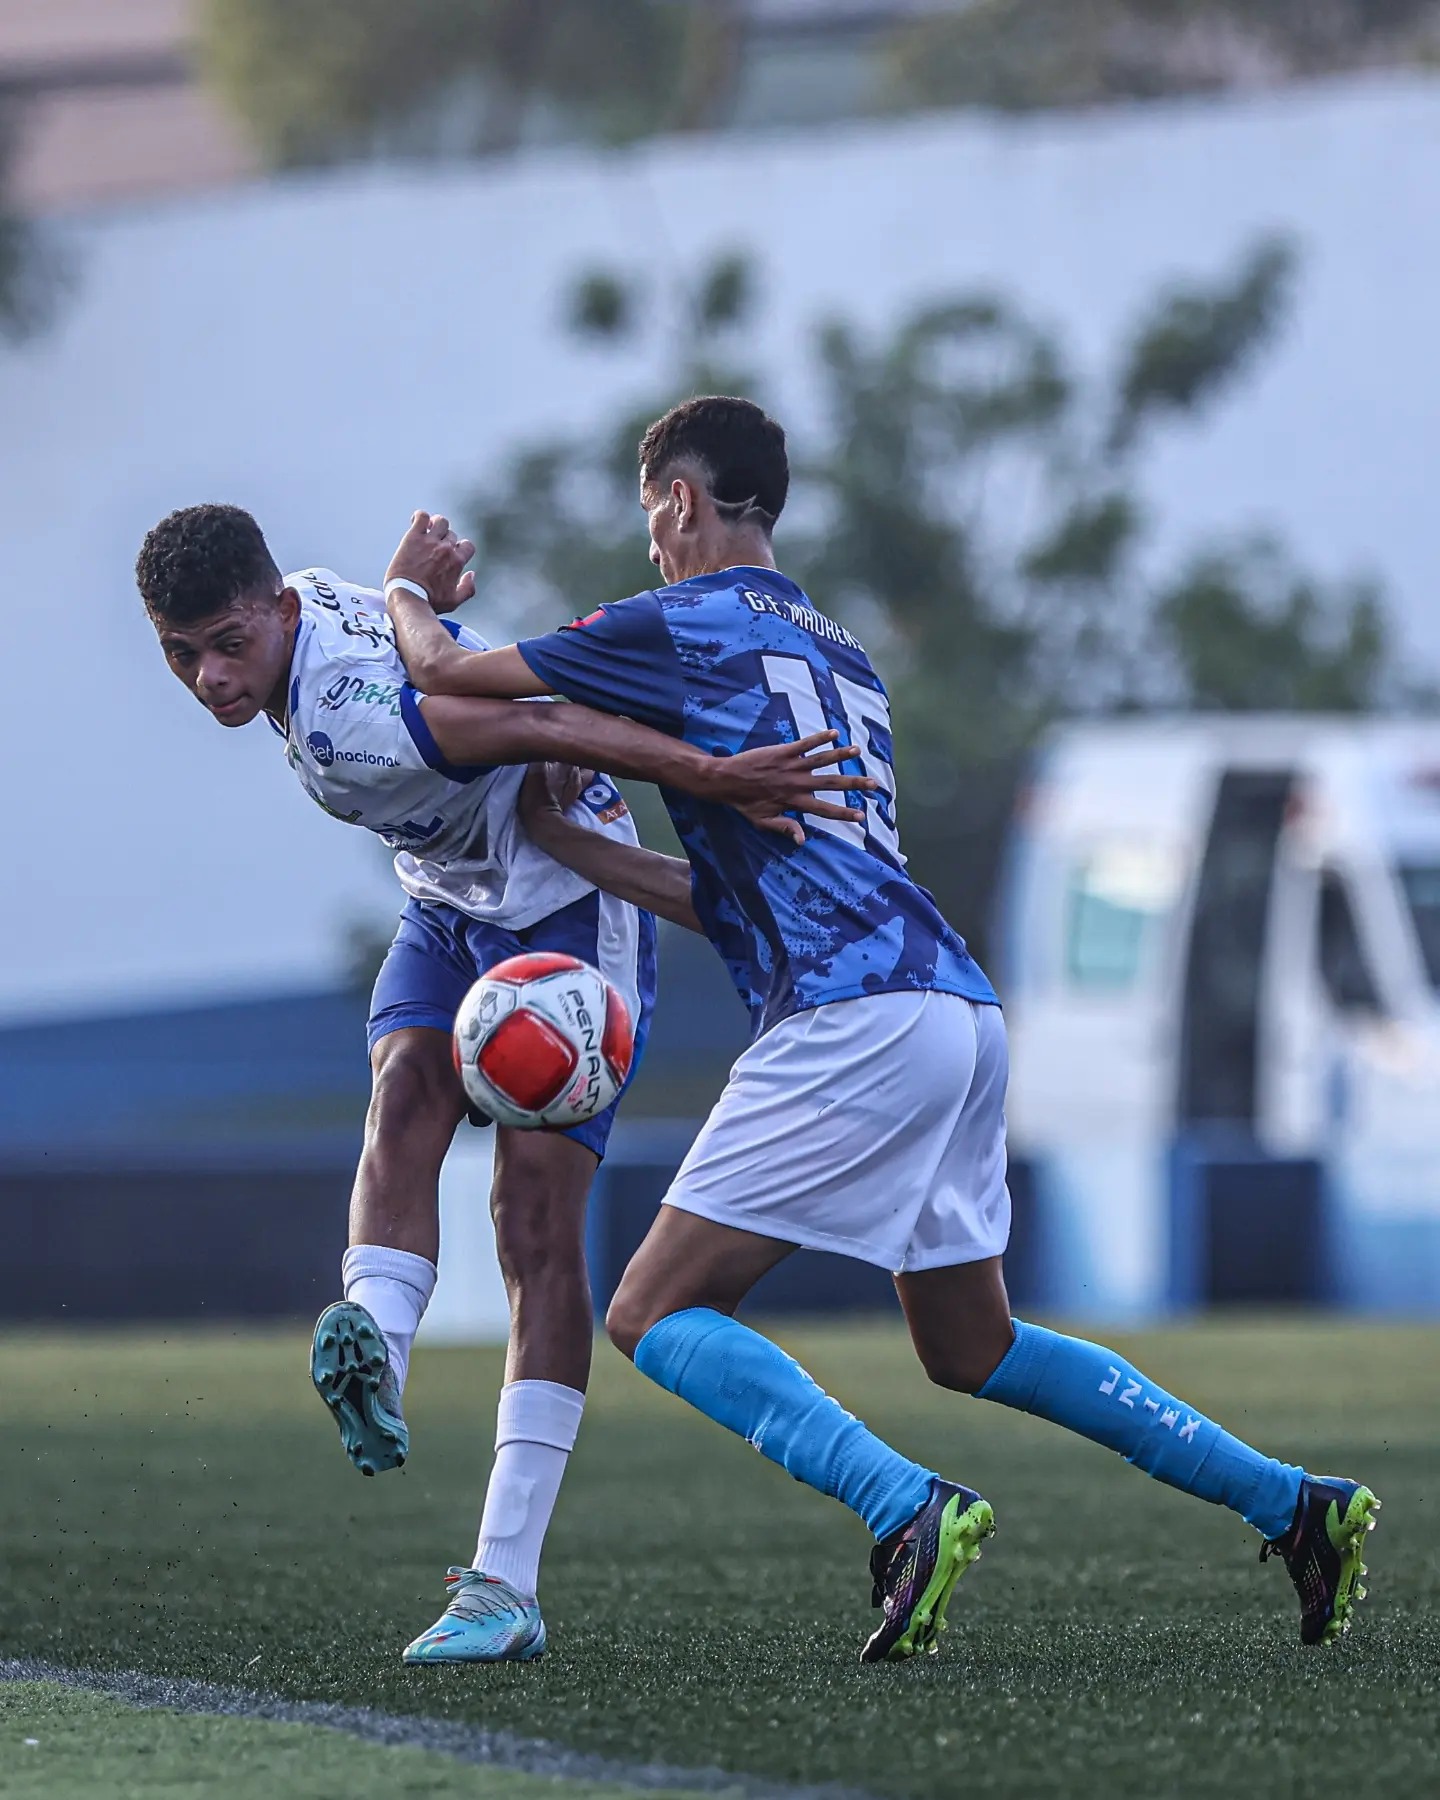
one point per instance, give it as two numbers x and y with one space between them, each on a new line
917 1569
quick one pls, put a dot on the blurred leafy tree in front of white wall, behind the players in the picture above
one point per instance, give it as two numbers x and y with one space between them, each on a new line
973 507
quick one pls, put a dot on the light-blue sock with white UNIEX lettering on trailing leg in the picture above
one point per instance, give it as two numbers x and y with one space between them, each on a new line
1095 1392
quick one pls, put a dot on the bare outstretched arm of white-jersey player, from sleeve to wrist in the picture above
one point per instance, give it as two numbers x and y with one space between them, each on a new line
503 732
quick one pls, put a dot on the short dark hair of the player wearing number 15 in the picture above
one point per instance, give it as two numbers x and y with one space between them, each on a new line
735 444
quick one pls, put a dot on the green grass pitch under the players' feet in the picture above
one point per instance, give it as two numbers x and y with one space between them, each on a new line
183 1507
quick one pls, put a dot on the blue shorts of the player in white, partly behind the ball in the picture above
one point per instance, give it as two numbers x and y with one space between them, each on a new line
440 953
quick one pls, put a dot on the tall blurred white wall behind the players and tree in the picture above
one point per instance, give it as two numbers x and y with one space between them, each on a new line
336 352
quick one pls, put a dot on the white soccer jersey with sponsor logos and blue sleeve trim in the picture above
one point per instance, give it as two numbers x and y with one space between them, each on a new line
361 746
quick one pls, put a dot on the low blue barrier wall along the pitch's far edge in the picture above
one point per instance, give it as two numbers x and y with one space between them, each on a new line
199 1162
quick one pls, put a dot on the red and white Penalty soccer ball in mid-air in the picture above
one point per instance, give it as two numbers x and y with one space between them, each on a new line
543 1043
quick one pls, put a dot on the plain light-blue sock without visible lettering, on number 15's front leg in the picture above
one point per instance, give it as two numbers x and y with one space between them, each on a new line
751 1387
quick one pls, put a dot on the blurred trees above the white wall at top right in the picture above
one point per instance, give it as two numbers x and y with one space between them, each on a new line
1018 55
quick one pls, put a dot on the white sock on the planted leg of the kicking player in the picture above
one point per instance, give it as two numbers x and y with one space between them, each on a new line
535 1432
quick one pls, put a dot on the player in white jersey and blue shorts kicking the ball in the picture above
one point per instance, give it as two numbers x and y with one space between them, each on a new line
438 782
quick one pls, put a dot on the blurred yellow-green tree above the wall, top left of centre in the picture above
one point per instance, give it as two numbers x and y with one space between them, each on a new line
325 80
